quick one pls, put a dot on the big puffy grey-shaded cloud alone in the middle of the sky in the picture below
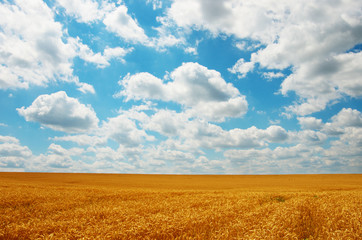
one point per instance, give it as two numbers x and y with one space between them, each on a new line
203 92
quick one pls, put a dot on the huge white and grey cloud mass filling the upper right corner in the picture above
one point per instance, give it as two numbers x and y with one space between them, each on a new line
318 38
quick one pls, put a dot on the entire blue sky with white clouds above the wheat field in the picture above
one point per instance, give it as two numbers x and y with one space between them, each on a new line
181 86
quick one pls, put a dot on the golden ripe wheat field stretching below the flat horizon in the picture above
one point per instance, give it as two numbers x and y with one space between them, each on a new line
121 206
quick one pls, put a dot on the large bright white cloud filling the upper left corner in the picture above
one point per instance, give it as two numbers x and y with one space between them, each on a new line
34 50
